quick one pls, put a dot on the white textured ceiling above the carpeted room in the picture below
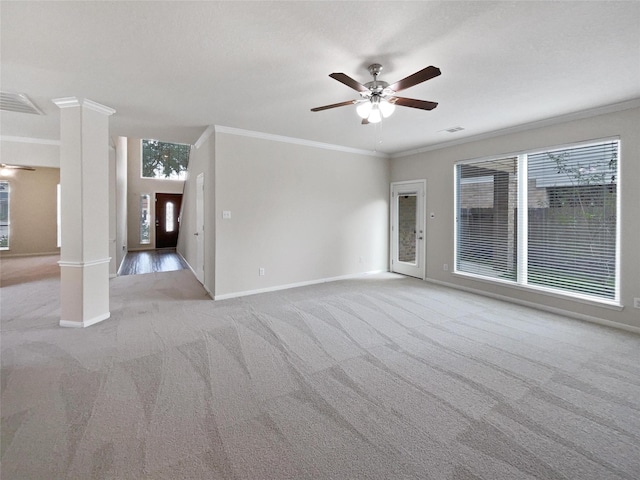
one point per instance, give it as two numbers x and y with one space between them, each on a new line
170 69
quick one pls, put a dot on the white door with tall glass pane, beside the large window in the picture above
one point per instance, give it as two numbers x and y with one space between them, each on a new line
408 227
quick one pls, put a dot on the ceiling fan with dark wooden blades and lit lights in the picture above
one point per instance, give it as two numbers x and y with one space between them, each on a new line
378 97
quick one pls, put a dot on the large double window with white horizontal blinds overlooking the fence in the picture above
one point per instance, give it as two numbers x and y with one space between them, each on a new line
546 219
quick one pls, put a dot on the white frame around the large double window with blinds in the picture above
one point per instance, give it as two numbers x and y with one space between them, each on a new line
521 281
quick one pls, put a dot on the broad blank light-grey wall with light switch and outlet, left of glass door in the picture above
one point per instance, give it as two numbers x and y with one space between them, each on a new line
301 212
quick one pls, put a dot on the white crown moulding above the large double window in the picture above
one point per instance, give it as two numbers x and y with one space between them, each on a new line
593 112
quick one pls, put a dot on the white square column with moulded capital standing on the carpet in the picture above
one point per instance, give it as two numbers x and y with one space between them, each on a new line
84 185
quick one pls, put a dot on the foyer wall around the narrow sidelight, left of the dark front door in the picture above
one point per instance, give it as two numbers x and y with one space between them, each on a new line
136 186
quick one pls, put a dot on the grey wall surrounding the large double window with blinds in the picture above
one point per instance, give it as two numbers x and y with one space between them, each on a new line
438 167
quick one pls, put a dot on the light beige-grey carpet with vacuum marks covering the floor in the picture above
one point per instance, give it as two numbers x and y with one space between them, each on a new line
383 377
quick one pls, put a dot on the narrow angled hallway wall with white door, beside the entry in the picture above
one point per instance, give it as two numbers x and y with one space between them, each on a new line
201 161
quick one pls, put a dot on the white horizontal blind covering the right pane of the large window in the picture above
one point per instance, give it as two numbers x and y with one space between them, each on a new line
572 219
